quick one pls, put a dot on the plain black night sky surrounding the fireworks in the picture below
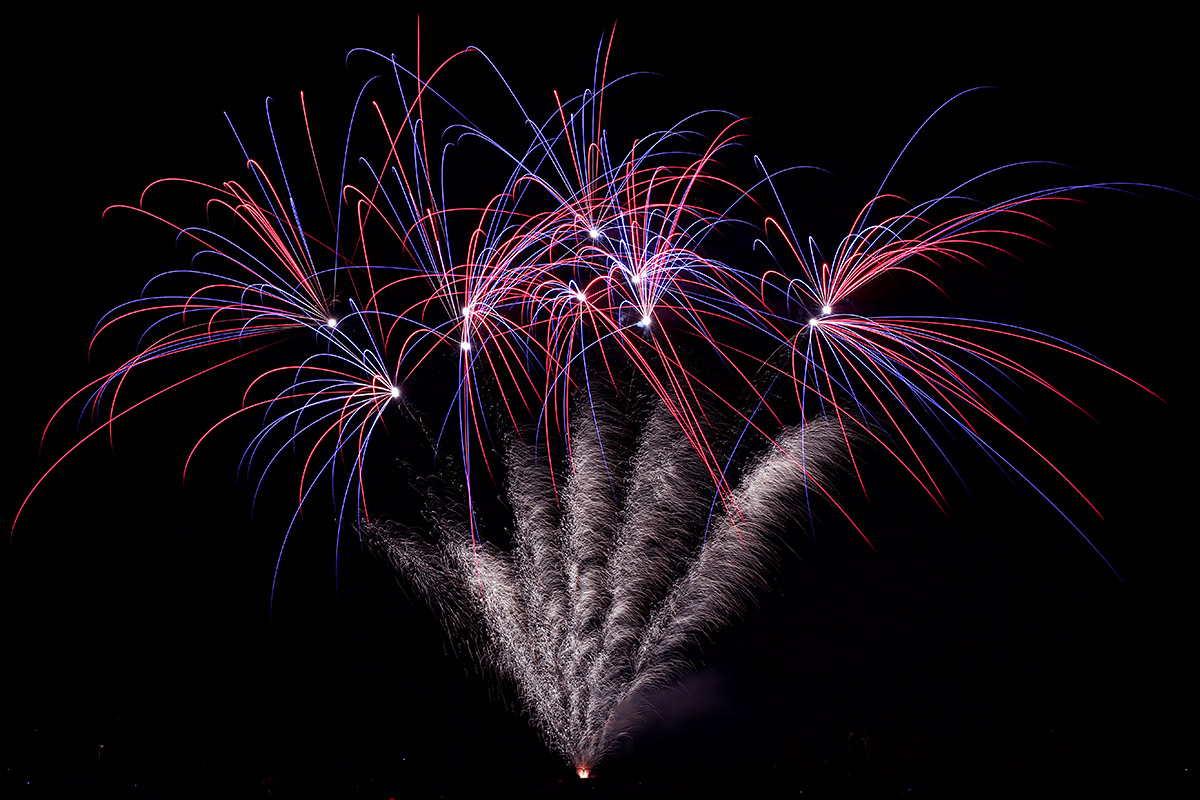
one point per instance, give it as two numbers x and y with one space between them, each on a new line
981 652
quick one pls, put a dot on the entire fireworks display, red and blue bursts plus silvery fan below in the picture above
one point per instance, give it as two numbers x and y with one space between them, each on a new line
584 281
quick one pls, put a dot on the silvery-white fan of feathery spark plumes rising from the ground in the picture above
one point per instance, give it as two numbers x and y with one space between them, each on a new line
610 582
